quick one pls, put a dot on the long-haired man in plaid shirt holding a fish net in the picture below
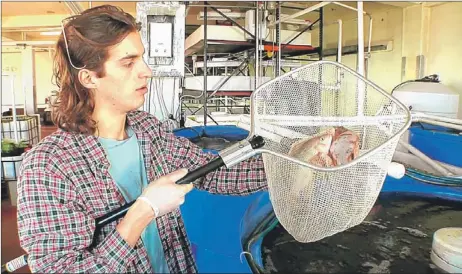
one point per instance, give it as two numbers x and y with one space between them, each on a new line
105 154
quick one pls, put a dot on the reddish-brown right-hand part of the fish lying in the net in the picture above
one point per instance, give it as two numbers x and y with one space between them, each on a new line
344 147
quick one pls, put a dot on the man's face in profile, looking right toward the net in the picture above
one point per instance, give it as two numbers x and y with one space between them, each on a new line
124 85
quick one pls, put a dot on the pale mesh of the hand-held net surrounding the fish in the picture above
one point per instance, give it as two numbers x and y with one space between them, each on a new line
312 204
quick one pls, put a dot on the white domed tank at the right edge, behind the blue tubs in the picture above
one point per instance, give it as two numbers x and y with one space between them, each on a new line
428 97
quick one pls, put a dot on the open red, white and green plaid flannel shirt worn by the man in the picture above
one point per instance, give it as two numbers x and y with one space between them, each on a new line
65 185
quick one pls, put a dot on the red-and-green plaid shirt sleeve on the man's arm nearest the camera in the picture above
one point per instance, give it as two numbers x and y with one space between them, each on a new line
53 227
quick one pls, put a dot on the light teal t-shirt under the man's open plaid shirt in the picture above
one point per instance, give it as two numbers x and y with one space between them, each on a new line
128 170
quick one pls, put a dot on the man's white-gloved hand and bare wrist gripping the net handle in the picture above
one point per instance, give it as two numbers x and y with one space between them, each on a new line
164 194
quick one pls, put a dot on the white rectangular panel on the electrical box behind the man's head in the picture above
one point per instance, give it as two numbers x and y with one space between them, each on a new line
160 39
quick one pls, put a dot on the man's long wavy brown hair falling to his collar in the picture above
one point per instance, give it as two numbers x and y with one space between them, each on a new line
89 37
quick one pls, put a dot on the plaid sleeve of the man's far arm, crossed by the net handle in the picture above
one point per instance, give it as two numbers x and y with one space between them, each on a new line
244 178
